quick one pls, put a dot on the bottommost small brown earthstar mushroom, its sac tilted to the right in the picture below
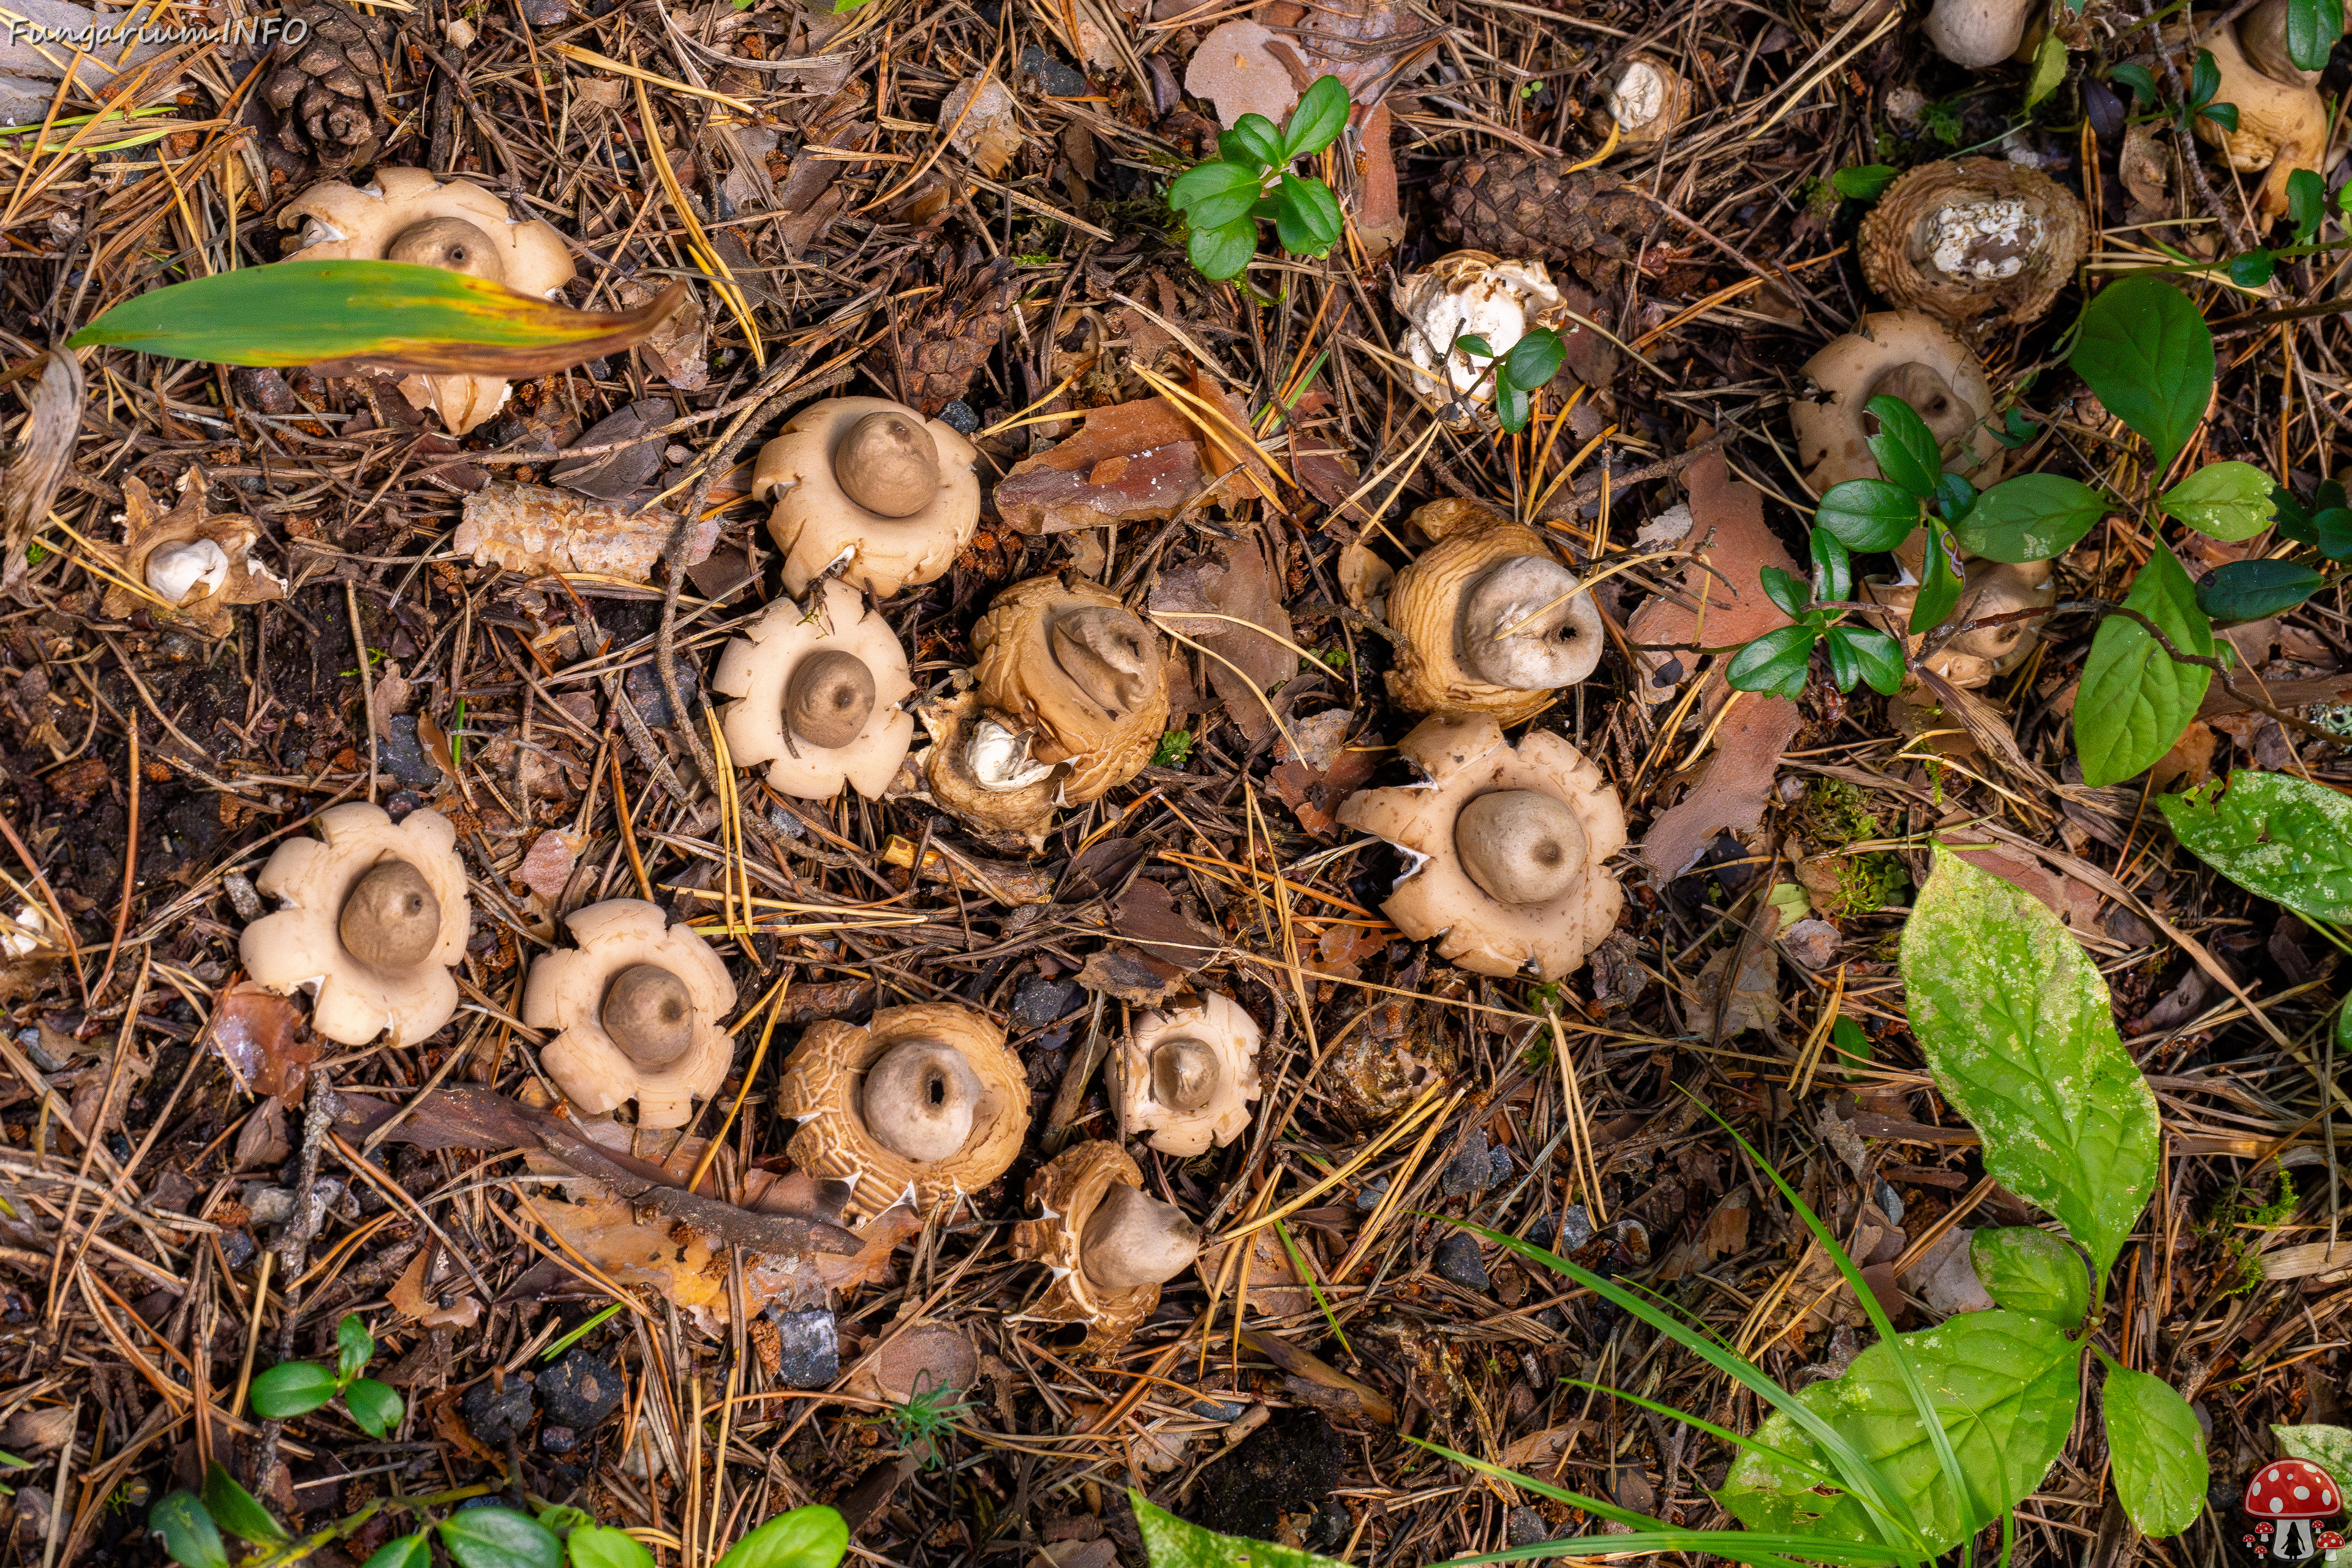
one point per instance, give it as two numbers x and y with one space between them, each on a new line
1107 1242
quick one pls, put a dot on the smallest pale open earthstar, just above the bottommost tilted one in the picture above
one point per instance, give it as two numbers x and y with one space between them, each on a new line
1187 1076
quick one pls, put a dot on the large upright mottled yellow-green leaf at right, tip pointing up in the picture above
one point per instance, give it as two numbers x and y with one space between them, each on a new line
2019 1033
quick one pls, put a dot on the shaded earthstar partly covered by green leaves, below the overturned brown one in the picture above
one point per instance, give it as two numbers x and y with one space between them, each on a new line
1895 354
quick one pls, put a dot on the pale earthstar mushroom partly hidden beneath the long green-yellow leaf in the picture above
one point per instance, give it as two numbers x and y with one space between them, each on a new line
406 215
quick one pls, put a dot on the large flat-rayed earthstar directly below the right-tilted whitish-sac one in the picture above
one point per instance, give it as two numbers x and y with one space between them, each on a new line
1509 847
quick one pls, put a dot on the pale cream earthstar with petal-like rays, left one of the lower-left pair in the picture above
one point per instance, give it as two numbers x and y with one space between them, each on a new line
375 916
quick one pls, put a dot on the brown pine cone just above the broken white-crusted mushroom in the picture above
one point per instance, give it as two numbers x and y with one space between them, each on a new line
1530 208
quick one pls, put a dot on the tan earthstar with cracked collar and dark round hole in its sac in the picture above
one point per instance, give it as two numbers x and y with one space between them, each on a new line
923 1104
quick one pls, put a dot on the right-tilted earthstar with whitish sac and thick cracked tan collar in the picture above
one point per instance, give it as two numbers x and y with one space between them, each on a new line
1488 619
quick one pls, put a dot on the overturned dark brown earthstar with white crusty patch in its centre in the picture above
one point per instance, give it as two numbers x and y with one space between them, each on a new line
1975 241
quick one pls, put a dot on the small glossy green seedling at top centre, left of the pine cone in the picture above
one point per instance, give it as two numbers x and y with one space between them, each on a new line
1252 180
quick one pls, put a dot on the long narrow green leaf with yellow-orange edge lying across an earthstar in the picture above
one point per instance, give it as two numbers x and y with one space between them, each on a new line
396 314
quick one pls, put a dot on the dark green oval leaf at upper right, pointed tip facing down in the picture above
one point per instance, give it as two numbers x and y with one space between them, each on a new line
2149 356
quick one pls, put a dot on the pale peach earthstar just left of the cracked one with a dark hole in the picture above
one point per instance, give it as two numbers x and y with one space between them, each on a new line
636 1007
